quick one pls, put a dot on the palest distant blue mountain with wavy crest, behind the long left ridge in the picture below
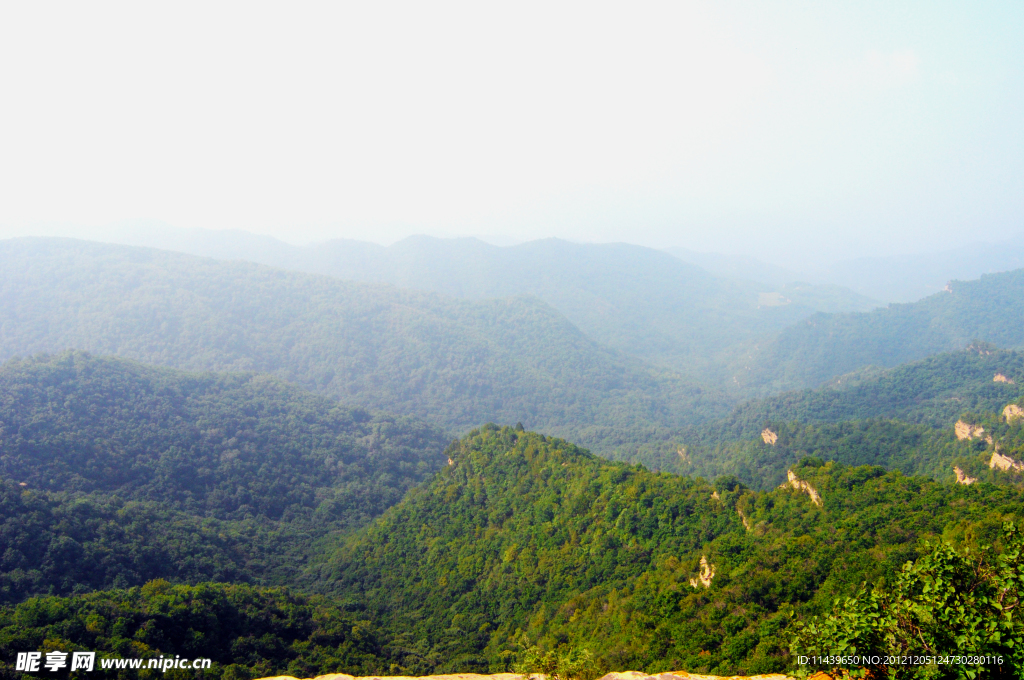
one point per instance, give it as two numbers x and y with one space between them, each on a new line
635 300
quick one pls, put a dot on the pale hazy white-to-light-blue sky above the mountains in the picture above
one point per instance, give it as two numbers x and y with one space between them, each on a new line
745 127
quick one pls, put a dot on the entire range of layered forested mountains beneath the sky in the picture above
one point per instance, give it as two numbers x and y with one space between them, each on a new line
295 473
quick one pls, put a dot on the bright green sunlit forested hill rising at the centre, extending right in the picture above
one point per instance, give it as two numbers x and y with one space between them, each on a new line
529 540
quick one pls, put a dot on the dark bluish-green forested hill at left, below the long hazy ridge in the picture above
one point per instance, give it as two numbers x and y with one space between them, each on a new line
115 474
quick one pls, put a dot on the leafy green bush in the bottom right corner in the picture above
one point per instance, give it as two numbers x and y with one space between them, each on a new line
949 603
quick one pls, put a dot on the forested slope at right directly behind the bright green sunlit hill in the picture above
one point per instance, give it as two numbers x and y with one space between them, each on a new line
900 418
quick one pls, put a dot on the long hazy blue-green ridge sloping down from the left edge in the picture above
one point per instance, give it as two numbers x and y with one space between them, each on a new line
456 363
